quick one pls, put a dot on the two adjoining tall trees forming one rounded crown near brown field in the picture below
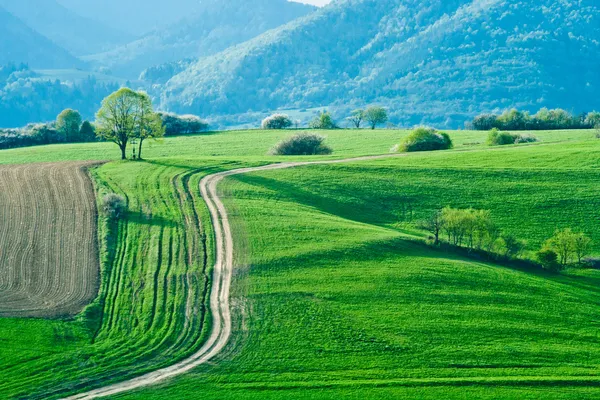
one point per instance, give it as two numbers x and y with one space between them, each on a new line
125 115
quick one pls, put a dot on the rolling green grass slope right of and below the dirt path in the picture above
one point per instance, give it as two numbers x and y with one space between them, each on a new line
339 304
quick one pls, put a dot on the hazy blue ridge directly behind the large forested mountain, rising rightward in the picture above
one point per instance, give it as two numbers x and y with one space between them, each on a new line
216 26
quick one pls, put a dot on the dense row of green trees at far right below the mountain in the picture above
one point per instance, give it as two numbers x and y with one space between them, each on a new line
545 119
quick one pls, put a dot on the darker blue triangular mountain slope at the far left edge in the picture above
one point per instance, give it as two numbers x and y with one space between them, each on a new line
21 44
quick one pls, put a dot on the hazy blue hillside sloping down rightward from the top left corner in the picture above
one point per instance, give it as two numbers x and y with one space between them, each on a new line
64 27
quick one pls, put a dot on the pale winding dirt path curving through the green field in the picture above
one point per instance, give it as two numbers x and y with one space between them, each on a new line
221 283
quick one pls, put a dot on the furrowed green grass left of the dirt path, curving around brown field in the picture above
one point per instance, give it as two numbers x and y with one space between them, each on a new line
153 275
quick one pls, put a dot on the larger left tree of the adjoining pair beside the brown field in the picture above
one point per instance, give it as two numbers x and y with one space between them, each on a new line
116 118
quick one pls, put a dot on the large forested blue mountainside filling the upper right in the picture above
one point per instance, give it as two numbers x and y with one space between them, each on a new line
435 61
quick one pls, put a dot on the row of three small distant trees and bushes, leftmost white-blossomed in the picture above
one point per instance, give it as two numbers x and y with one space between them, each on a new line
373 116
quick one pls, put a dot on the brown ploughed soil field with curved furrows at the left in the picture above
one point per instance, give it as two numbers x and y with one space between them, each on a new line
49 262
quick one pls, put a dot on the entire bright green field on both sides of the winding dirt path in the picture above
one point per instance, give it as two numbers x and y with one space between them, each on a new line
334 295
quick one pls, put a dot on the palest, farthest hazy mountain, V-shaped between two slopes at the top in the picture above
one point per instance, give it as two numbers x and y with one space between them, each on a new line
136 17
